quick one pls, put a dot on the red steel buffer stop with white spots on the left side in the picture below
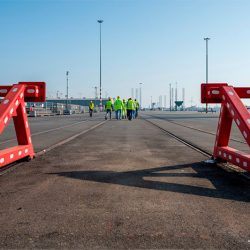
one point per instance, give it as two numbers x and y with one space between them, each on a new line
13 106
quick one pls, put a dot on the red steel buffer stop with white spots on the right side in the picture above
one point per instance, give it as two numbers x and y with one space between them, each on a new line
232 109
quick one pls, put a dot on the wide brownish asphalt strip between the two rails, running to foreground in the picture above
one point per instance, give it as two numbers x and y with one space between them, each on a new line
123 185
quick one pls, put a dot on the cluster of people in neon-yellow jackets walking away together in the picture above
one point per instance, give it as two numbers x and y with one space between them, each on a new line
123 109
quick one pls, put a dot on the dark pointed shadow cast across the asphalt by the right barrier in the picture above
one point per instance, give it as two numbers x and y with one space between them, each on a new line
227 185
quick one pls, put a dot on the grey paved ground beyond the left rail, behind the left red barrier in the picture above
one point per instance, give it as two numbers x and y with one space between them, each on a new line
47 131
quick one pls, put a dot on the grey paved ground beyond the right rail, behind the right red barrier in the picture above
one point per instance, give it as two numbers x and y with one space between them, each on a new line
198 128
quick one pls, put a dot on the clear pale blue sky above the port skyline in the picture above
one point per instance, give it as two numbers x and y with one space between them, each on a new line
153 42
